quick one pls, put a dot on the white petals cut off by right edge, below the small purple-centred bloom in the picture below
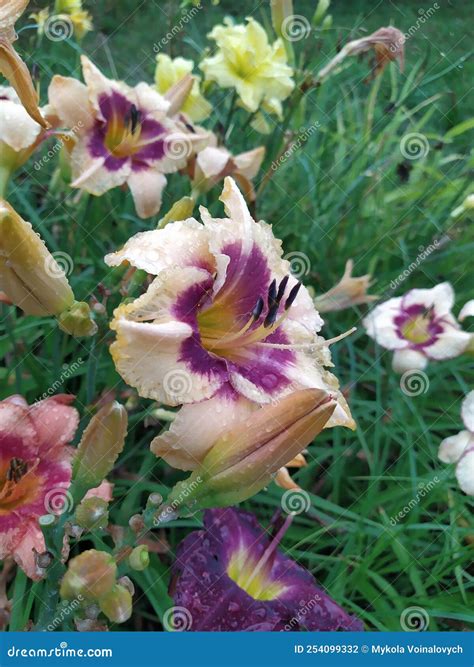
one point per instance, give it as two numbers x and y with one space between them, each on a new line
460 448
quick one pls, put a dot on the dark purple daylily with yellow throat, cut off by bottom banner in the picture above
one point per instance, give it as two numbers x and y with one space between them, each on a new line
230 576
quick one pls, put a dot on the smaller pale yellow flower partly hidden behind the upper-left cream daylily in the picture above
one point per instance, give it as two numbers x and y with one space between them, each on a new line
168 72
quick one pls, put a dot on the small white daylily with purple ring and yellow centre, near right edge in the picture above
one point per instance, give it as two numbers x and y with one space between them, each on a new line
418 327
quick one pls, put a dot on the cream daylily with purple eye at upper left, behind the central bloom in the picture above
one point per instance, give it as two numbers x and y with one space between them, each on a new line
123 135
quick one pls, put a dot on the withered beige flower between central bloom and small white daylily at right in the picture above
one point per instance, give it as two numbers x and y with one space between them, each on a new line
348 292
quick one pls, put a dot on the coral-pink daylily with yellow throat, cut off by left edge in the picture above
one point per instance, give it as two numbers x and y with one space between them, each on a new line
35 471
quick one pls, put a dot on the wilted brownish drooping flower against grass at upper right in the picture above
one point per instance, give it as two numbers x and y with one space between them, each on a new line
387 43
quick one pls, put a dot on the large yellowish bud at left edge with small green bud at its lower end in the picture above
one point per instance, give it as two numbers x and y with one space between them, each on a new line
33 280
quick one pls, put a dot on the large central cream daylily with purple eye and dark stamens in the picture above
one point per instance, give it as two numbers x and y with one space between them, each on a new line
223 328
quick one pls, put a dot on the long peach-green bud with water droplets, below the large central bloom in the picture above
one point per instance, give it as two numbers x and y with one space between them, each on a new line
243 460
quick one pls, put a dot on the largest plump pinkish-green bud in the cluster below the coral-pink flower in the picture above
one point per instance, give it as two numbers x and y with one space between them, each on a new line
91 575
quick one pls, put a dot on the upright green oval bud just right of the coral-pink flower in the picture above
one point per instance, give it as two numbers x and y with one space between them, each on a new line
101 443
